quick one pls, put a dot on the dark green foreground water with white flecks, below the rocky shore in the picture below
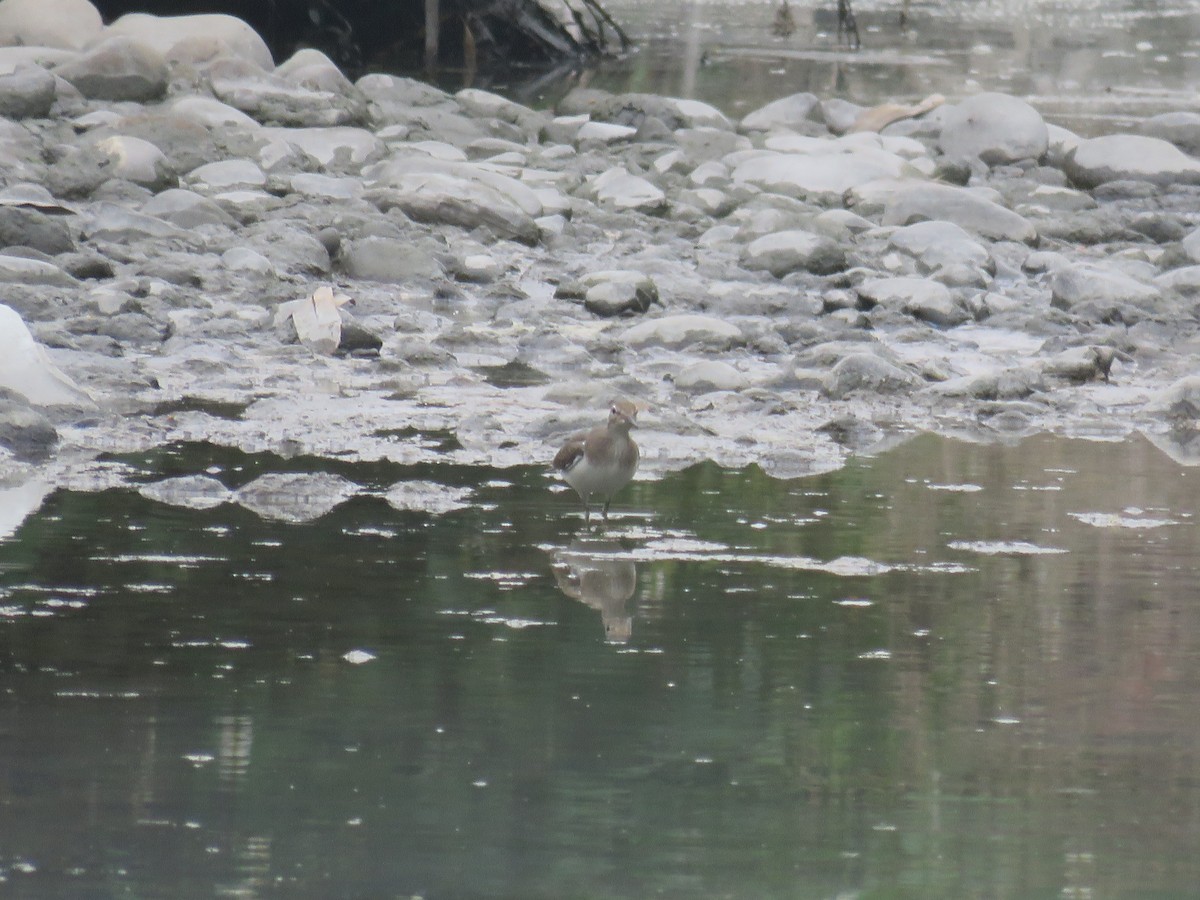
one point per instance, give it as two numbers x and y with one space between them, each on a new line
947 671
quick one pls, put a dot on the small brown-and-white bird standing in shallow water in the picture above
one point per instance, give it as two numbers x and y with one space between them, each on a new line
602 461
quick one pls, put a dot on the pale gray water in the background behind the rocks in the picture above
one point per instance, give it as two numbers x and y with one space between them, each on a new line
1095 67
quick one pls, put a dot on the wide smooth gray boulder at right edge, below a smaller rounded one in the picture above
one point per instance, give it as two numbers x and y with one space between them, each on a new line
1131 158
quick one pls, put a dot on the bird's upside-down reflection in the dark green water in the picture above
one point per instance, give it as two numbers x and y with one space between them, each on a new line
593 572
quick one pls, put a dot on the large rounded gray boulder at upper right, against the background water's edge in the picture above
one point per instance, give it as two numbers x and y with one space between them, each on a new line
995 128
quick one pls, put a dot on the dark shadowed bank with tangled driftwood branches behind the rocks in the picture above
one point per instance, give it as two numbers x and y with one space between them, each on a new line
403 34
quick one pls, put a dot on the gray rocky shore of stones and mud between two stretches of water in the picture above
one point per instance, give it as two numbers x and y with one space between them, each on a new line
813 281
